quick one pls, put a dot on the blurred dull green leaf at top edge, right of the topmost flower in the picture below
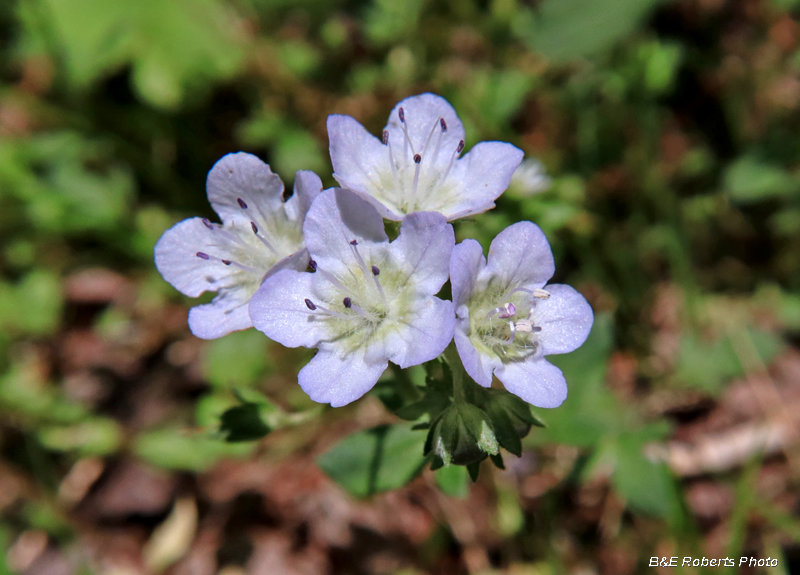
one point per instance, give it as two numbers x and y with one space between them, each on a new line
565 30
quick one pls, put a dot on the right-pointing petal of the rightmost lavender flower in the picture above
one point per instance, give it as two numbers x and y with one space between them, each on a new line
565 318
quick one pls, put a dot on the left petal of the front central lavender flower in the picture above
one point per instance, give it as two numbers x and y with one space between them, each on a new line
278 309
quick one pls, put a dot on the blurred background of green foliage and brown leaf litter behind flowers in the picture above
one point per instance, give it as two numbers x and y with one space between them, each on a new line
671 133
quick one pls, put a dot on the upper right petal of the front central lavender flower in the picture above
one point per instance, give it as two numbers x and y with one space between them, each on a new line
423 249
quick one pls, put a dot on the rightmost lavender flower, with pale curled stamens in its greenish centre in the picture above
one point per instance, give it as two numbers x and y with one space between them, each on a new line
508 319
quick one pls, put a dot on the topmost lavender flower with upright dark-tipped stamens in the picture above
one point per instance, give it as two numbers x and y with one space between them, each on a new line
415 165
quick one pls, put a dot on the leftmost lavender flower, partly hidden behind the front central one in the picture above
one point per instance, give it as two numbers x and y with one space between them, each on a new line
259 235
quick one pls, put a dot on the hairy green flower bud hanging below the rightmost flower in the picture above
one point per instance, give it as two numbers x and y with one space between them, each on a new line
463 435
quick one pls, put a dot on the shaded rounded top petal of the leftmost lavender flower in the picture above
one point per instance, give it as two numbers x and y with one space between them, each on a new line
243 176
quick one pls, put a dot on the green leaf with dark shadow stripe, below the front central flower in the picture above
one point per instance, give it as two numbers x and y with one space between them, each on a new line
375 460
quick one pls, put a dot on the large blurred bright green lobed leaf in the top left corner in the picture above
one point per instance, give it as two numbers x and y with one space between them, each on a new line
172 46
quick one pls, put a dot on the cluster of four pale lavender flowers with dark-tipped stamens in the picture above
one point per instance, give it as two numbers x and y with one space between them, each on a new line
319 270
